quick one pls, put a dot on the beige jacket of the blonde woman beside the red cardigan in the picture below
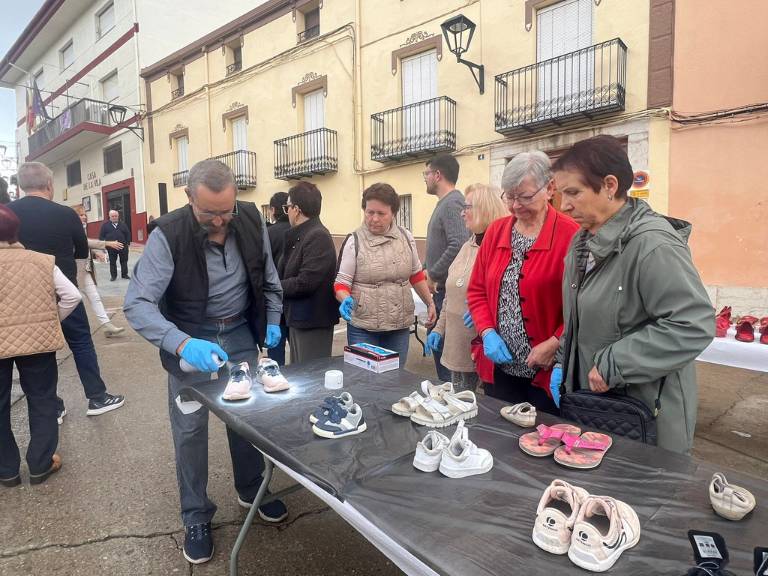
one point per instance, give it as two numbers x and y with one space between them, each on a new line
450 325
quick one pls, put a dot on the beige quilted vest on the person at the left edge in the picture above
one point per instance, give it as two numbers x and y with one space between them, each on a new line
29 317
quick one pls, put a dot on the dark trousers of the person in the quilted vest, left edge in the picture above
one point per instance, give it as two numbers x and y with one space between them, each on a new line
38 374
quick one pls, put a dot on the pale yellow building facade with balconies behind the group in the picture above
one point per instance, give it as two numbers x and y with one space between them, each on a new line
351 92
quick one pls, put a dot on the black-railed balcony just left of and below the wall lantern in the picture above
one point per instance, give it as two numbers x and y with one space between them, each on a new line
415 130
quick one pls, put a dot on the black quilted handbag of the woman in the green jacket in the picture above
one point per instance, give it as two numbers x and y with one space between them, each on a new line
616 414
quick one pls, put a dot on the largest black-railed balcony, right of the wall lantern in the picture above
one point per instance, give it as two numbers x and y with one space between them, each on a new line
571 88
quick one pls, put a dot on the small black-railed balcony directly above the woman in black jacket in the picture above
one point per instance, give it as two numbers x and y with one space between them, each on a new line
308 154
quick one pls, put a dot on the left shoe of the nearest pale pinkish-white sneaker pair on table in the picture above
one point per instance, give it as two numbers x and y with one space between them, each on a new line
555 516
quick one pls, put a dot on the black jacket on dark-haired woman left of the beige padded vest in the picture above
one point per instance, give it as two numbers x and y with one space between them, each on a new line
307 271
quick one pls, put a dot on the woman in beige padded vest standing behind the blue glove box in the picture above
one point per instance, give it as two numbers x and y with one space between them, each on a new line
377 267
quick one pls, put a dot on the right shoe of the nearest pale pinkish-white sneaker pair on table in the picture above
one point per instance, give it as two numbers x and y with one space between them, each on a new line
604 528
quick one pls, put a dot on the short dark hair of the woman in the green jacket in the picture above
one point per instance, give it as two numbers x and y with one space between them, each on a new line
595 158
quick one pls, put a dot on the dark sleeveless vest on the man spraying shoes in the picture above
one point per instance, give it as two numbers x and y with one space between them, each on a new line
186 298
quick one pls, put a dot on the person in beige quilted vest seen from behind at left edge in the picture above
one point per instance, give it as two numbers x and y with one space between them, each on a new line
30 334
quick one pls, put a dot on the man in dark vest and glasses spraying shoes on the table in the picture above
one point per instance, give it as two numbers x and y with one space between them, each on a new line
206 284
